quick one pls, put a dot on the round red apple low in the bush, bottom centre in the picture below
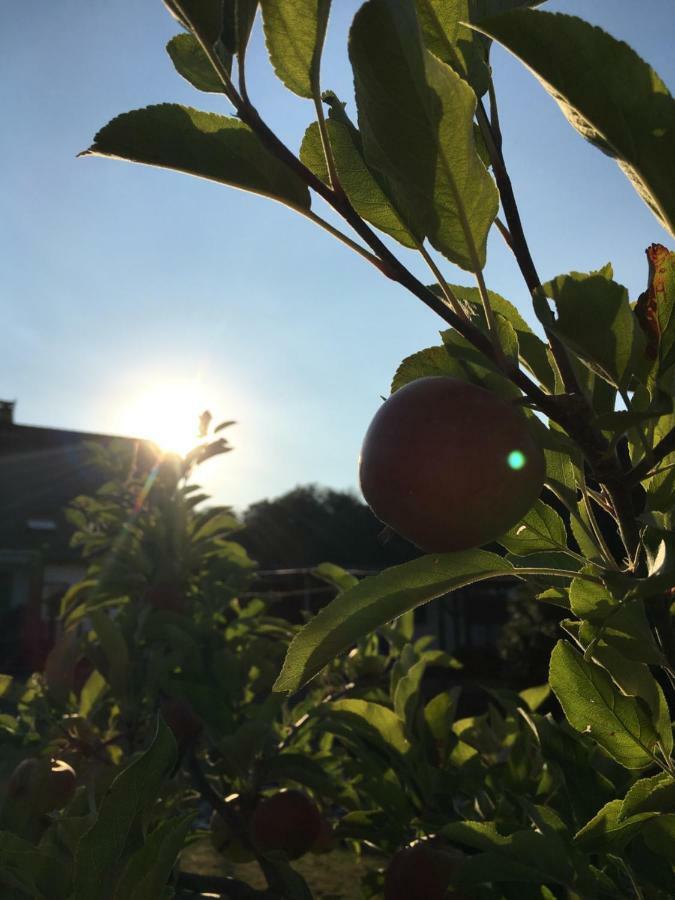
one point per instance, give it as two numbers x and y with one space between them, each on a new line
288 821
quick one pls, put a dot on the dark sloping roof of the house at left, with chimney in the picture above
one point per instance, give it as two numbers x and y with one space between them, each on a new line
41 471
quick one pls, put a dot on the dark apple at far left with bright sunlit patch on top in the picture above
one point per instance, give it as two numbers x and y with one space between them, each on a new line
43 785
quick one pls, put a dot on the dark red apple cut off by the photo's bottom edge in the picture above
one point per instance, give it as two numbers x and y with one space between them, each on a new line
420 873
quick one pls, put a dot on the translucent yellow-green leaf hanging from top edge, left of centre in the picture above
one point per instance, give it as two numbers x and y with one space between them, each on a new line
294 33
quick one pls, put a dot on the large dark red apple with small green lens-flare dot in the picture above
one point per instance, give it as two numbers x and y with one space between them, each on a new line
450 465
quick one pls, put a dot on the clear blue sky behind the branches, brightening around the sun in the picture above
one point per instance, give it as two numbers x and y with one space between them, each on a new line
115 278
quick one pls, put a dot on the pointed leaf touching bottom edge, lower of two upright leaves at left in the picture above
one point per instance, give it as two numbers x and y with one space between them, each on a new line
149 869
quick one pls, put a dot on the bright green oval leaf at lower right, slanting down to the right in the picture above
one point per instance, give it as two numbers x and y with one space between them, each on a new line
593 705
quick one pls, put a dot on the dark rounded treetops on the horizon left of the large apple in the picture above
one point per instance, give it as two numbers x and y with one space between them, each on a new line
309 525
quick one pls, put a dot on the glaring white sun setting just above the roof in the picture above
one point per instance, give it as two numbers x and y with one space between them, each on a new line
167 413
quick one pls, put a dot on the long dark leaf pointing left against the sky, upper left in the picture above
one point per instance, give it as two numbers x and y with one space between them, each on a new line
202 144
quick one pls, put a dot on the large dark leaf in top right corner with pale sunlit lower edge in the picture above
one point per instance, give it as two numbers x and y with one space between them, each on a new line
606 91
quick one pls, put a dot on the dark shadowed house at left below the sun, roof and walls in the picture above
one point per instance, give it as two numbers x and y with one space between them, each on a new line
41 471
